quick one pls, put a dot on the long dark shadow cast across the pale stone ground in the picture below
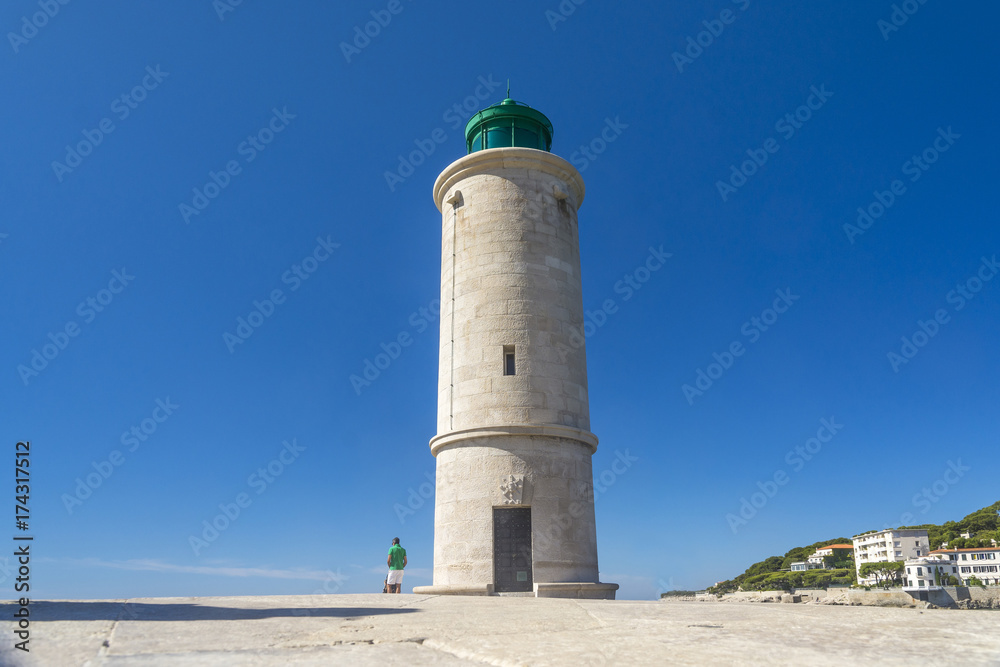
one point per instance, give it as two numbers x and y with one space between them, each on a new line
83 610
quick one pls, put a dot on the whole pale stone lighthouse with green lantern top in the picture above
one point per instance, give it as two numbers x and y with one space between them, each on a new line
514 506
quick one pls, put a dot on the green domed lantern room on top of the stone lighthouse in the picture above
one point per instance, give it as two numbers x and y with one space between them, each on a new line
508 124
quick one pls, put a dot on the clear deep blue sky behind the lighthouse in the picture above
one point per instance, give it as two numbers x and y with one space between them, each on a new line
329 122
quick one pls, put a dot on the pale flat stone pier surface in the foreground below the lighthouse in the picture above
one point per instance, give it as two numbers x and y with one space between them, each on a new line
453 630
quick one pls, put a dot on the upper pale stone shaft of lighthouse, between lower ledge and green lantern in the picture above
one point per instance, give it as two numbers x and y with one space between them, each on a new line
510 276
